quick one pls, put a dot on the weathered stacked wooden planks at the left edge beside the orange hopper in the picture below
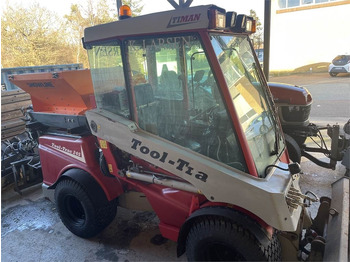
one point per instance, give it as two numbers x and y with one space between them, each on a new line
11 115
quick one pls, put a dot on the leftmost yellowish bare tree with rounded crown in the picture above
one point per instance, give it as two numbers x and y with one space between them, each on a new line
32 36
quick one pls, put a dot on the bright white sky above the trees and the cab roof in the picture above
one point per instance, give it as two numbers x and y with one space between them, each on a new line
62 7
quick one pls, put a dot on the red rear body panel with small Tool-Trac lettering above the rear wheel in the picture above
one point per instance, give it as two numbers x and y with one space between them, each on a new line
59 153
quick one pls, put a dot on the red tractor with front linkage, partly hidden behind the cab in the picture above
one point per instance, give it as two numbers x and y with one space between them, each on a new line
293 104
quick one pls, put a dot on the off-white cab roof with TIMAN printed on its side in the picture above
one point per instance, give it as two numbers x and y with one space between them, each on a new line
169 21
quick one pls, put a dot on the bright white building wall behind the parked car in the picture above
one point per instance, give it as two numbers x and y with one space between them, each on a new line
308 34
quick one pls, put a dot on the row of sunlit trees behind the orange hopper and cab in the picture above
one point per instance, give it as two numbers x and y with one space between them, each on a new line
36 36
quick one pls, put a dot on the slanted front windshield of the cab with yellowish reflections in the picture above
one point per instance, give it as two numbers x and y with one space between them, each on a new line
250 98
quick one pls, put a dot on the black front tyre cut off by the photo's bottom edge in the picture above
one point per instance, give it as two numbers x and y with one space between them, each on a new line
220 239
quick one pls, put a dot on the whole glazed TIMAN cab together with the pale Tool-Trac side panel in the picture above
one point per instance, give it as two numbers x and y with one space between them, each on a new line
182 95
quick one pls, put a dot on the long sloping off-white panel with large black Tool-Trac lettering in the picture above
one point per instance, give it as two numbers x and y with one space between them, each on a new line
218 182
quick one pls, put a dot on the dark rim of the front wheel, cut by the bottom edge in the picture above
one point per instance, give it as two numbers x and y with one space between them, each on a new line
221 252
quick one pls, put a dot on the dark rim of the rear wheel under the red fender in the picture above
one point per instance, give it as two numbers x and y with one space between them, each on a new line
75 210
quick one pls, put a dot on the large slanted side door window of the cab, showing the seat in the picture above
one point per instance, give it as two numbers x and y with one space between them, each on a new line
177 97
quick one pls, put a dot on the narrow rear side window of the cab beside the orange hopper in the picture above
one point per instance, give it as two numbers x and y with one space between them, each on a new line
108 78
